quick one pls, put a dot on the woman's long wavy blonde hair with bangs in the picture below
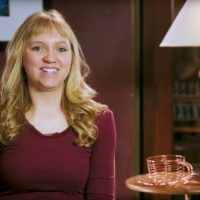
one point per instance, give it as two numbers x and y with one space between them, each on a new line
78 97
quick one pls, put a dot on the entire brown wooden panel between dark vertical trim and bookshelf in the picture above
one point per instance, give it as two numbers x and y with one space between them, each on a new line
157 122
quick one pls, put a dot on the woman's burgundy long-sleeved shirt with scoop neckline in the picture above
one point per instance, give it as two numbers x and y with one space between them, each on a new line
40 167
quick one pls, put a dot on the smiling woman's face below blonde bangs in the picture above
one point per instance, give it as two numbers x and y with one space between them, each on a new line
47 60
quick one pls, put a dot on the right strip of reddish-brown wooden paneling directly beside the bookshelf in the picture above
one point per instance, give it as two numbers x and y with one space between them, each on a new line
163 63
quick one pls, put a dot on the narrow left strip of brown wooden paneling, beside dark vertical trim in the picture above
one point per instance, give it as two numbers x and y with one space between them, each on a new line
148 80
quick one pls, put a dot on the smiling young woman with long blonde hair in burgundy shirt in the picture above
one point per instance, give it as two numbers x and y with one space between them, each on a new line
56 141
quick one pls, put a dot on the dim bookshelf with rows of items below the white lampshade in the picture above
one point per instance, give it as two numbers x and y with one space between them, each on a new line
186 103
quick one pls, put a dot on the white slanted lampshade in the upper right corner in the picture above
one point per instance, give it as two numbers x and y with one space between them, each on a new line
185 29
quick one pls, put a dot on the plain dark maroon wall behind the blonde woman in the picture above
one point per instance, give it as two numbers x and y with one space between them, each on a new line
105 34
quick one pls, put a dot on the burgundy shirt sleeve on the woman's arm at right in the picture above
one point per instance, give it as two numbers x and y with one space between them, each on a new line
101 181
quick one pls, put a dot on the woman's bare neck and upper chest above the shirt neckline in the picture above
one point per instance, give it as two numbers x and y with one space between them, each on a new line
46 113
